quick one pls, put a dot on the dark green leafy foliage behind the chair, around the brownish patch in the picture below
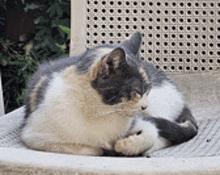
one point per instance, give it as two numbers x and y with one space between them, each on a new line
51 41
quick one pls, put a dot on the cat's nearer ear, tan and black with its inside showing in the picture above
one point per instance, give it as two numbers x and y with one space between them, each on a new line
111 63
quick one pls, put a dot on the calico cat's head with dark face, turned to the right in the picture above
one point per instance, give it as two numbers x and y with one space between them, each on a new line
118 75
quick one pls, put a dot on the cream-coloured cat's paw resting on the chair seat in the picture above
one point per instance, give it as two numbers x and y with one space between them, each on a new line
133 145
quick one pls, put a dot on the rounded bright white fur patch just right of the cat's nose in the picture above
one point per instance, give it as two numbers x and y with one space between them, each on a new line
165 101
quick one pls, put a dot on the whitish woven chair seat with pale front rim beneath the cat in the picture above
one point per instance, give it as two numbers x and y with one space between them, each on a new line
201 154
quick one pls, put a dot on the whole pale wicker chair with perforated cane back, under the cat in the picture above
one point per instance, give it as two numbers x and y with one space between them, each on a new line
181 37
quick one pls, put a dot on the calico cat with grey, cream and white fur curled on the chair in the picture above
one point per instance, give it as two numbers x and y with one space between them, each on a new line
104 100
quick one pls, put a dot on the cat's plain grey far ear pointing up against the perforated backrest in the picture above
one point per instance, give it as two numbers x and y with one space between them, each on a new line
133 43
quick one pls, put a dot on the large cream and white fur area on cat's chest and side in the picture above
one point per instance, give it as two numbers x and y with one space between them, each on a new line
73 119
